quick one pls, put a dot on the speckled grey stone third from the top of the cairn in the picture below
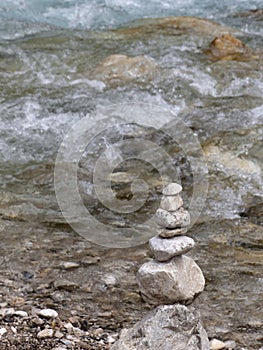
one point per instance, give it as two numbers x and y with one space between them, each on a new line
179 218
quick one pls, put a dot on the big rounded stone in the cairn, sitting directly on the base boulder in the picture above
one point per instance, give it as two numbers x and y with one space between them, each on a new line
178 280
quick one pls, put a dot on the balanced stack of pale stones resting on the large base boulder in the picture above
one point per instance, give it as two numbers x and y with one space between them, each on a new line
171 277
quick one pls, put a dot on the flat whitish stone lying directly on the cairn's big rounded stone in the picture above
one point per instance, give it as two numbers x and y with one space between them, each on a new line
166 248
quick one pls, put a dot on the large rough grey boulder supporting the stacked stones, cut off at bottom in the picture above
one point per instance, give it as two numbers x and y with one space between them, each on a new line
167 327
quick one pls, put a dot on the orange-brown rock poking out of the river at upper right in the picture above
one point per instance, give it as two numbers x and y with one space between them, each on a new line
227 47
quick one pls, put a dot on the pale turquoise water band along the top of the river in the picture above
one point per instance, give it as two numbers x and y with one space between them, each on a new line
28 15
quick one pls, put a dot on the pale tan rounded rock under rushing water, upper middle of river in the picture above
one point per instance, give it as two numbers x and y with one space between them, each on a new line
117 69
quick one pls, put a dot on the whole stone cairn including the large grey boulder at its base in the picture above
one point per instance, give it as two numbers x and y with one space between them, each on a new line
168 281
